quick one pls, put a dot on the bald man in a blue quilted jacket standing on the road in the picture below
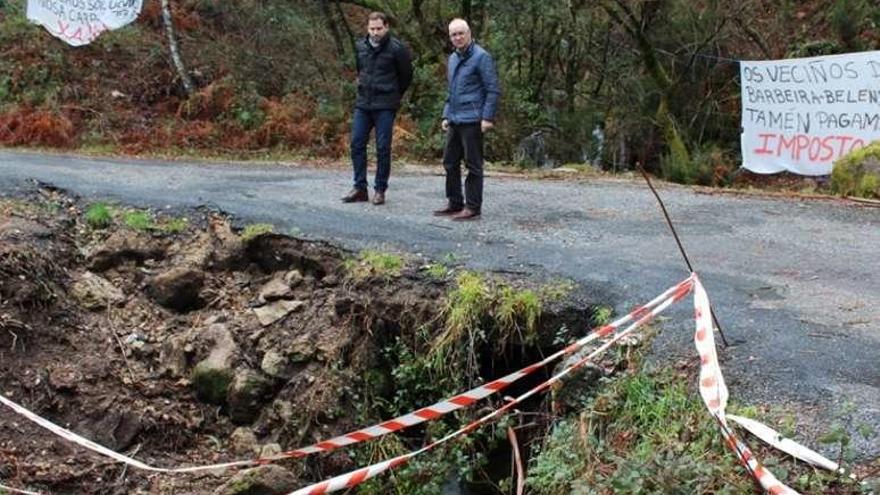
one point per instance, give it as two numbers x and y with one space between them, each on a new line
471 102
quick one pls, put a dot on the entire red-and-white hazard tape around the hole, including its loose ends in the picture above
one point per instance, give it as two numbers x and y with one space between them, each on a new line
711 385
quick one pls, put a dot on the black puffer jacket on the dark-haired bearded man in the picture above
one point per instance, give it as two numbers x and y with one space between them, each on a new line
384 74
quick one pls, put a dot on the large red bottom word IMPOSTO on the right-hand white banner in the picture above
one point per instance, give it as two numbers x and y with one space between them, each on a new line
816 149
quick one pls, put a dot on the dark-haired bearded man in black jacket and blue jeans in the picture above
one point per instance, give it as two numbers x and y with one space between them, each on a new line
384 74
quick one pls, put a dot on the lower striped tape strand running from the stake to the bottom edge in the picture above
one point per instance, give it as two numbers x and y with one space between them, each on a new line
356 477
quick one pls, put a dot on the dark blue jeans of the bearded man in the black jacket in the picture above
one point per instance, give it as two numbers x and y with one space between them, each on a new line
362 123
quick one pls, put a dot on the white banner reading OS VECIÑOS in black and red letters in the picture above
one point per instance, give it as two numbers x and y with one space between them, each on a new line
803 114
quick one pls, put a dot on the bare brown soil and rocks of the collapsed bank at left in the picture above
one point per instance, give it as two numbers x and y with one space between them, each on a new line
187 349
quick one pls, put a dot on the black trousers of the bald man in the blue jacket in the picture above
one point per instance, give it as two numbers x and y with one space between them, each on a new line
464 141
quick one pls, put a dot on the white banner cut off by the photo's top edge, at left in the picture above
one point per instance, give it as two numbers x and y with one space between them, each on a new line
79 22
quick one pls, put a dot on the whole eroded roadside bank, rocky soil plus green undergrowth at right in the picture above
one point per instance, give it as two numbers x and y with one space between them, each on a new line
186 343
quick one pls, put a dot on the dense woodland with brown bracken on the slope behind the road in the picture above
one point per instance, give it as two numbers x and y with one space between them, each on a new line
658 77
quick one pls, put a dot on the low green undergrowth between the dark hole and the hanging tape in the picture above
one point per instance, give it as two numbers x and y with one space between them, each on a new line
644 433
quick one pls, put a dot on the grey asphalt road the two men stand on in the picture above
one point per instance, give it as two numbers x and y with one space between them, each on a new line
795 283
